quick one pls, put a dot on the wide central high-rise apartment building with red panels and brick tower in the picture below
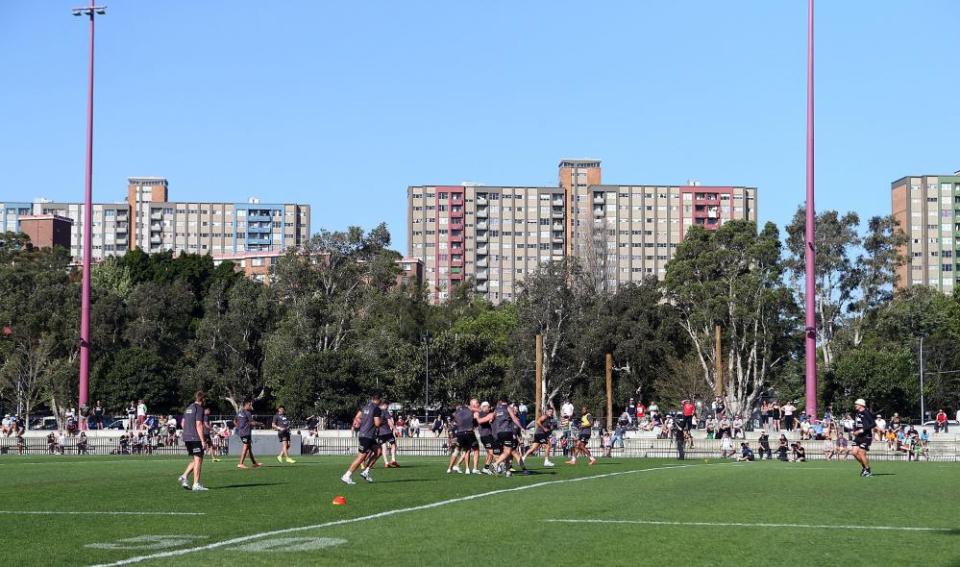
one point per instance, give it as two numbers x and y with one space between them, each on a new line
495 235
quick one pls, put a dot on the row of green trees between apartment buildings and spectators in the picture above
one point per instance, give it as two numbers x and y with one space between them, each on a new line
334 325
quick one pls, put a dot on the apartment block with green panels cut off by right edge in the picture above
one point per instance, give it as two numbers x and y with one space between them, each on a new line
928 210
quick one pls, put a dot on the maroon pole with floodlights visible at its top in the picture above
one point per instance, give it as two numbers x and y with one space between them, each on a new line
92 12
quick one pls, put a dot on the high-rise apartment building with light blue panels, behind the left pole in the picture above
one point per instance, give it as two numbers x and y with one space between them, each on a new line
149 221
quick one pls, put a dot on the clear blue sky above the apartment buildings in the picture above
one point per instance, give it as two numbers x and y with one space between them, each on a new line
344 104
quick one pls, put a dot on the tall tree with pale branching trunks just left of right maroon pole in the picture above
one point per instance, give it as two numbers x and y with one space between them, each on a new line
732 277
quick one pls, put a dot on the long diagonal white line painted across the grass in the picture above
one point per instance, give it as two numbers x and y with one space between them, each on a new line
244 539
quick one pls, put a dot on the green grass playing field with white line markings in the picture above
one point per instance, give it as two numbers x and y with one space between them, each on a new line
615 513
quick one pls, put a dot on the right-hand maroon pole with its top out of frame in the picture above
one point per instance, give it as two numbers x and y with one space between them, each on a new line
810 251
